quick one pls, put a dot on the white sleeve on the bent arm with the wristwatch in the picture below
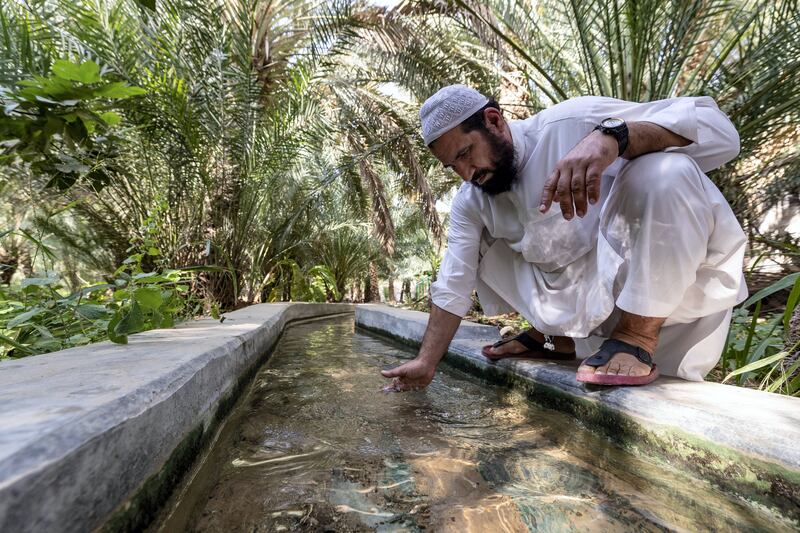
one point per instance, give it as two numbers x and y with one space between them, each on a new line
714 140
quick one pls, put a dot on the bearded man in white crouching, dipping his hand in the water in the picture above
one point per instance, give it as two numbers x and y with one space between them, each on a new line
594 220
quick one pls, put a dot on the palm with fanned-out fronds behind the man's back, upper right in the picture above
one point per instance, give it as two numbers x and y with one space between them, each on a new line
744 53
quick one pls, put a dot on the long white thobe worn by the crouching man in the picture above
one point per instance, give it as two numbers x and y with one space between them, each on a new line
661 241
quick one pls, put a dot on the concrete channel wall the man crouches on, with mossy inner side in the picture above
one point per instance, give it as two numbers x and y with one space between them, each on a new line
745 441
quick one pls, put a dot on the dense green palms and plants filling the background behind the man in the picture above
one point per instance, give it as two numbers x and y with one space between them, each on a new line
172 158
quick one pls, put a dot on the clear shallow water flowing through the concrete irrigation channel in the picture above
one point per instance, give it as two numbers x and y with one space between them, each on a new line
316 447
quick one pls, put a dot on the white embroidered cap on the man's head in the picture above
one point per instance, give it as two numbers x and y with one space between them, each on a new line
448 108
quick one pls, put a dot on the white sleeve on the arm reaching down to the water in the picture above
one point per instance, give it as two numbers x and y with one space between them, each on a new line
459 269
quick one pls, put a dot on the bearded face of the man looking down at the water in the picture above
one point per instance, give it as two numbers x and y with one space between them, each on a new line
483 158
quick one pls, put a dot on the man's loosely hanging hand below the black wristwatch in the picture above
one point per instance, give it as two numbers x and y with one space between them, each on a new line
576 177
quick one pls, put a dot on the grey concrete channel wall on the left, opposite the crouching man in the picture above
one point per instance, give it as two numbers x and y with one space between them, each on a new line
83 430
